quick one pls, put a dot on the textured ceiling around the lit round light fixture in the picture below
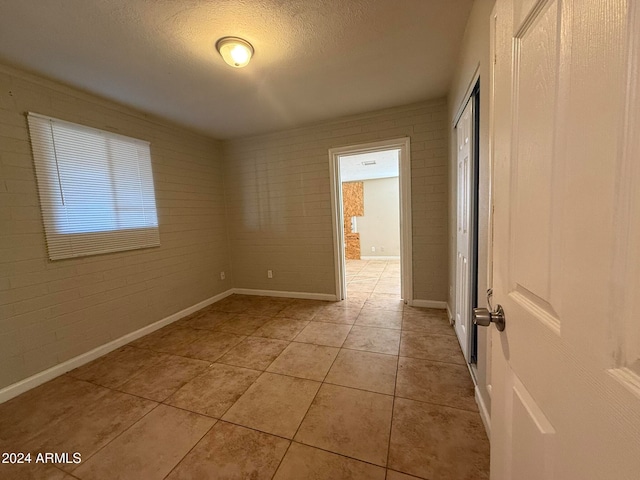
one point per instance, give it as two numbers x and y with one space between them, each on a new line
314 59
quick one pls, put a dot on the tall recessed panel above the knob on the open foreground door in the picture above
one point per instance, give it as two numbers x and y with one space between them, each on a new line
535 71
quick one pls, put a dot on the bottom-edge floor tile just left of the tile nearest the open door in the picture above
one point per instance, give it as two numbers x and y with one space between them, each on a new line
304 462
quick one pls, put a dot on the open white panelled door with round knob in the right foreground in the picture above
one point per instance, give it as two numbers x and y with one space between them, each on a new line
565 372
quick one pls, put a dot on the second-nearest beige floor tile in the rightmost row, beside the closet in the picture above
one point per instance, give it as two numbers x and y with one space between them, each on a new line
435 382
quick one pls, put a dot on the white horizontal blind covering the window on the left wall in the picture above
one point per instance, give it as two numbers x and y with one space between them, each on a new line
96 189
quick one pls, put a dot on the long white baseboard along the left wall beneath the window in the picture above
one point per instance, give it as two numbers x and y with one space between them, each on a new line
33 381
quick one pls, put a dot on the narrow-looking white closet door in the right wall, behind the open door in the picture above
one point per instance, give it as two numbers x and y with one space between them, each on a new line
463 254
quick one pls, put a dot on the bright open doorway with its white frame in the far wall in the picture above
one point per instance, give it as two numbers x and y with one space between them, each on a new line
357 236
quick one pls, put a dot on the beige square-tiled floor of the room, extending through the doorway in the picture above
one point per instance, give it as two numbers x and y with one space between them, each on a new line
265 388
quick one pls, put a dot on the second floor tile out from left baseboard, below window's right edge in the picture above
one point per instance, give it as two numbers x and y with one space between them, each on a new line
164 378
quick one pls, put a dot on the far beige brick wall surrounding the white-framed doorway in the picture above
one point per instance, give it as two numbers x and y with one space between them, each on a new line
278 197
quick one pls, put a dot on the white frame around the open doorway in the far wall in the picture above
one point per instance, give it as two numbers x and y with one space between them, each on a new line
406 237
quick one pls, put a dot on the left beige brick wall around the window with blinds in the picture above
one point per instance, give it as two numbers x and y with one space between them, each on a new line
53 311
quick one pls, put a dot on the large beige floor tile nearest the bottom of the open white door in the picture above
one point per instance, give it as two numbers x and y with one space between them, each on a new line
433 441
